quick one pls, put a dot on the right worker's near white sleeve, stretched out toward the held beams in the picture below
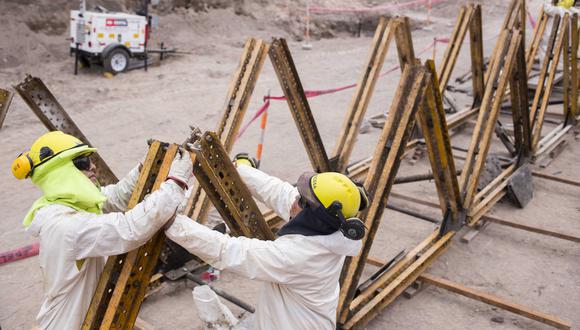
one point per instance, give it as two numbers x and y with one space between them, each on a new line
249 257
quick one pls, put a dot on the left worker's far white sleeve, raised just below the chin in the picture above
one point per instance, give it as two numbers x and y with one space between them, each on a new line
119 194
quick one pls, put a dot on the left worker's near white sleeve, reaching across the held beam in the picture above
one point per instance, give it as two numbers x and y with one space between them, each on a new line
117 232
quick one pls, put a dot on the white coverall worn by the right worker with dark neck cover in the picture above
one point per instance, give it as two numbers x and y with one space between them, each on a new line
299 273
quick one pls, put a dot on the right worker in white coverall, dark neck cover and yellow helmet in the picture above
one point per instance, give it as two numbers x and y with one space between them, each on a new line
300 270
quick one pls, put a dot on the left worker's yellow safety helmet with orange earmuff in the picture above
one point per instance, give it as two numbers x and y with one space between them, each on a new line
43 149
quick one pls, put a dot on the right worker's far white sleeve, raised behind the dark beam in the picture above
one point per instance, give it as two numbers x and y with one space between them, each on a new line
273 192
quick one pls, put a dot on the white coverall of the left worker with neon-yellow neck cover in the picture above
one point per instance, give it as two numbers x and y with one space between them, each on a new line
67 235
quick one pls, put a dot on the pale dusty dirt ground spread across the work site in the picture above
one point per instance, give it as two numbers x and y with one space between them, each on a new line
118 115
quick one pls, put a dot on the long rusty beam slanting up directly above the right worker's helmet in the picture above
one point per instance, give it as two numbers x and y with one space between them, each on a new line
364 91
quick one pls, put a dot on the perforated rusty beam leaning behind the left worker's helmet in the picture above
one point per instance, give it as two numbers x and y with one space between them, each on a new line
43 103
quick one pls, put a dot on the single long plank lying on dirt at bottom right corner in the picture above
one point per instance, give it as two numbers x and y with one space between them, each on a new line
496 301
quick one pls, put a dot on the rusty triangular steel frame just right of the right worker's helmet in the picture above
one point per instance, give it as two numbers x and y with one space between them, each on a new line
417 98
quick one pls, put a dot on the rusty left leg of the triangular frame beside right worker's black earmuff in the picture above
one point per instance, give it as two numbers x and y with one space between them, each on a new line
382 173
